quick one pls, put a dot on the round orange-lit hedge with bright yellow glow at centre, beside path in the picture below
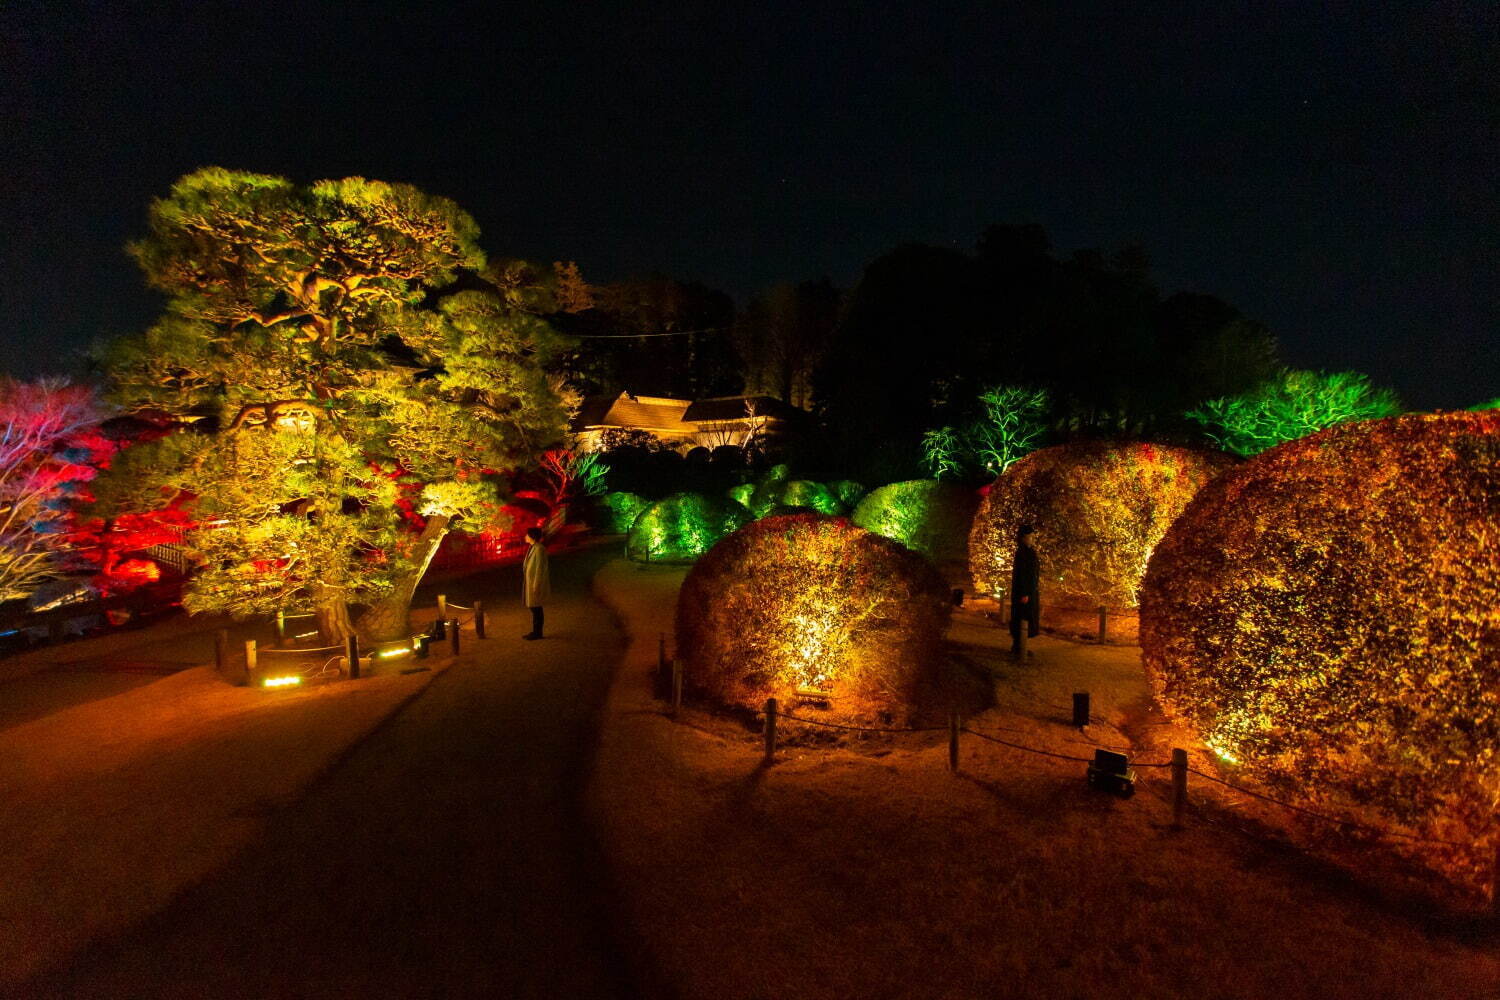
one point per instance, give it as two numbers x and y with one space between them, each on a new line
806 602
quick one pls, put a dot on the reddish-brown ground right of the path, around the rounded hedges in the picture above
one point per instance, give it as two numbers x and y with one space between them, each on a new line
868 869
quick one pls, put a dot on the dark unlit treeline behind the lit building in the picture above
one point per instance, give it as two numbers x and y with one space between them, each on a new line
922 335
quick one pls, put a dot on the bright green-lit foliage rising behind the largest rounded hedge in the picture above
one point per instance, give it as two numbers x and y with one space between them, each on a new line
1291 406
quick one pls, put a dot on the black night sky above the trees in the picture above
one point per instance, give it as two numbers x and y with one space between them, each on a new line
1331 175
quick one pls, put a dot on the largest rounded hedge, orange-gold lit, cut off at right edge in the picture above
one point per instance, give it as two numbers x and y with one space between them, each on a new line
1328 617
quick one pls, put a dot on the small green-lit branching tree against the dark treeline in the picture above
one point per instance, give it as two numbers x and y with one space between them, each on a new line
1013 424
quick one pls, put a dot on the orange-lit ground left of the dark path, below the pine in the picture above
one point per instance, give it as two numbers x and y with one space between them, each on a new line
119 791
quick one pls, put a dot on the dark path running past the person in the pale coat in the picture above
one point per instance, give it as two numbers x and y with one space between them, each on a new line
448 855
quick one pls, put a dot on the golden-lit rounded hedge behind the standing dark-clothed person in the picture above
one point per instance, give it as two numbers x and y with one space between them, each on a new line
1100 510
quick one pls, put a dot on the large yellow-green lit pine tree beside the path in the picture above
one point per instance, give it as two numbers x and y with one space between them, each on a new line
340 409
